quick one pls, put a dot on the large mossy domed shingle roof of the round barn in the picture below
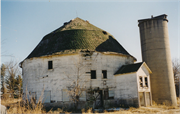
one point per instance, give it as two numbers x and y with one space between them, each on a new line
74 36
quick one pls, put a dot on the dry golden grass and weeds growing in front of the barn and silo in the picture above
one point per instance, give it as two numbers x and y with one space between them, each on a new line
19 106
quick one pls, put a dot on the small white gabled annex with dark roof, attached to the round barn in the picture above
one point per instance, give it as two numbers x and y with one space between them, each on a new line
133 85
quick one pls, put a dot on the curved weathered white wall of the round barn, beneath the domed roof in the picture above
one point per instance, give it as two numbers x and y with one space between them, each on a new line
37 77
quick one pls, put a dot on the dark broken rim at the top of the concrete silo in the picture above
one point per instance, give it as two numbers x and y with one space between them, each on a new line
160 17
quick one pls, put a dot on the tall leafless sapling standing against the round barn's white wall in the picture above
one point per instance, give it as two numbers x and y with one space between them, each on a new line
78 82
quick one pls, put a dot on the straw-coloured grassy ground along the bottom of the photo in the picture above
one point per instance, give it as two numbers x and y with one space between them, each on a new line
13 104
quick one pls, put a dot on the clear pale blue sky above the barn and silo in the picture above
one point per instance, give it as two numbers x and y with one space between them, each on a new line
25 22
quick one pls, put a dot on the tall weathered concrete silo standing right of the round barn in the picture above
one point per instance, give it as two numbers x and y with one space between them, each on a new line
156 53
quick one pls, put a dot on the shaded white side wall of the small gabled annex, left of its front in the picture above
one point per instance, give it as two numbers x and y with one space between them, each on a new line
126 92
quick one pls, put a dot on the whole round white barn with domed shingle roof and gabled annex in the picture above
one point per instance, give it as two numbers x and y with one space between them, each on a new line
80 53
